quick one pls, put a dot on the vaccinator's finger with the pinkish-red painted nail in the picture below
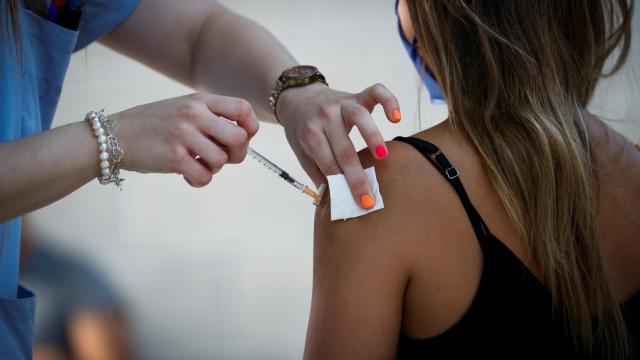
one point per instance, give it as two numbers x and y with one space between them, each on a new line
356 115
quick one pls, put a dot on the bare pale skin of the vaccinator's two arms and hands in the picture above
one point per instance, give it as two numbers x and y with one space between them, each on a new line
210 48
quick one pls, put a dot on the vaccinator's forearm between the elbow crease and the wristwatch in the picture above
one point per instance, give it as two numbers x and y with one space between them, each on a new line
235 56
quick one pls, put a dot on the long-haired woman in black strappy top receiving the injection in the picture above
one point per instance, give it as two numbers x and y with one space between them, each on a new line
510 230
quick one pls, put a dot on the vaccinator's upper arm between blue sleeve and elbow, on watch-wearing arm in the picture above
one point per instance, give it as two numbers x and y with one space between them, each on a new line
160 33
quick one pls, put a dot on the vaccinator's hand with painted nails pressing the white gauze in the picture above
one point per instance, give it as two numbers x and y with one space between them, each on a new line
317 121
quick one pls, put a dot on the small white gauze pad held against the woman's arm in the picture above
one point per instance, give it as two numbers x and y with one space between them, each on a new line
343 205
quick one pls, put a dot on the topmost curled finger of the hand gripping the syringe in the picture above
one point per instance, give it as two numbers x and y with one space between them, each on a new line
234 109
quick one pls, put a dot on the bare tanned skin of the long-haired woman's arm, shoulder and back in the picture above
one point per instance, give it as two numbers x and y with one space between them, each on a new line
415 266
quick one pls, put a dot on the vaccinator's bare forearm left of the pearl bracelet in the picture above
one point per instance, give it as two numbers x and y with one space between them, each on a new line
41 169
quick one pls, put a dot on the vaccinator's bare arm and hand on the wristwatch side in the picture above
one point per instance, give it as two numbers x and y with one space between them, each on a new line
206 46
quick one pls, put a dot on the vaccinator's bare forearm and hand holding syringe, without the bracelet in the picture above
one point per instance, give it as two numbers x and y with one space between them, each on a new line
189 135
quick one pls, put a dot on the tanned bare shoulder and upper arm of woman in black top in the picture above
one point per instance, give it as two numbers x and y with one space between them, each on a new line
371 271
